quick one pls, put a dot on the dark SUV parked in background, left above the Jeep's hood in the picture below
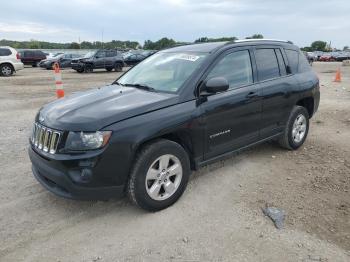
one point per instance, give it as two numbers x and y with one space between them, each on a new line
107 59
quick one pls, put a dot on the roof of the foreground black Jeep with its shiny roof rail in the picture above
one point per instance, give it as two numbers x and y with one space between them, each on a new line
211 46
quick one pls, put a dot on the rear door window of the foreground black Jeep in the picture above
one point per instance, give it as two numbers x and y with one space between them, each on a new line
267 63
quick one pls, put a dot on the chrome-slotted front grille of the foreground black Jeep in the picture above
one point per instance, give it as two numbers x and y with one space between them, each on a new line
45 139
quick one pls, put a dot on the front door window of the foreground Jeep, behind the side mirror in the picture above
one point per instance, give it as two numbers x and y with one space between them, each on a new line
236 68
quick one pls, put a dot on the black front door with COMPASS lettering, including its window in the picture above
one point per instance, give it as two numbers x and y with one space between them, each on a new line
232 118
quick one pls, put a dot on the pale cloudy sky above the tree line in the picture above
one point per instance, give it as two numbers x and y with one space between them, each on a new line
301 21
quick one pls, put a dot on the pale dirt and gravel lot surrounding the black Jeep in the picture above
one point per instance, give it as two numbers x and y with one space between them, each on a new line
218 218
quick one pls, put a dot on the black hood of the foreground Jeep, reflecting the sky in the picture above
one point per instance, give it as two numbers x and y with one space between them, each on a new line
98 108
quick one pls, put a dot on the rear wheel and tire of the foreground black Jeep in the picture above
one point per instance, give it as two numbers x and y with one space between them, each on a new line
296 130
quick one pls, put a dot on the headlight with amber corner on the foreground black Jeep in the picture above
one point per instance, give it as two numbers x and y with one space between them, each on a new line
79 141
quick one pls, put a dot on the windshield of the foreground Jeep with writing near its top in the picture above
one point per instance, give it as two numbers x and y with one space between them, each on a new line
163 71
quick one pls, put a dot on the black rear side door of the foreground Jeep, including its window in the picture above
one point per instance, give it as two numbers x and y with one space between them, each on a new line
277 87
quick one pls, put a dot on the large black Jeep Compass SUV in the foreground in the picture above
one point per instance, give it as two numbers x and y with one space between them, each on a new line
177 110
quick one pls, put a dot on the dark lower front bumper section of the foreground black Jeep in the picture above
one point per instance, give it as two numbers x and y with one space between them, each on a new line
60 183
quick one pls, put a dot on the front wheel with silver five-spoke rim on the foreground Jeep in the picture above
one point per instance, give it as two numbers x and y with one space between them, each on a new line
159 175
